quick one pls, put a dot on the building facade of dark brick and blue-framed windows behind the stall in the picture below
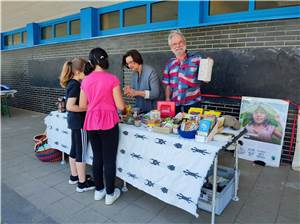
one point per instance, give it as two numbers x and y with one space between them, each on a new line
256 47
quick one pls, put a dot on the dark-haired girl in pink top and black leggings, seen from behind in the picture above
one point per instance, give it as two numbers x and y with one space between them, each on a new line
101 96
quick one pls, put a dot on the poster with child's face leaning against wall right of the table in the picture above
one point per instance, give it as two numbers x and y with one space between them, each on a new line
265 121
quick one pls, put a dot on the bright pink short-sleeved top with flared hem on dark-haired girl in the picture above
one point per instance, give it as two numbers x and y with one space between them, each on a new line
102 112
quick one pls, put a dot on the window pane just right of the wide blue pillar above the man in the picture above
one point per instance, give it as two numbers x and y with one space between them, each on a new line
223 7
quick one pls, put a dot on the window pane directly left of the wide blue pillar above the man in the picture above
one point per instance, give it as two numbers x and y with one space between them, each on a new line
164 11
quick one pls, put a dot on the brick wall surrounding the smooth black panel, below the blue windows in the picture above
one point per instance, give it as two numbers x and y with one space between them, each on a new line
267 34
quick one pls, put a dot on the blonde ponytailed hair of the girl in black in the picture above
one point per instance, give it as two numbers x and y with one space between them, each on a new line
69 69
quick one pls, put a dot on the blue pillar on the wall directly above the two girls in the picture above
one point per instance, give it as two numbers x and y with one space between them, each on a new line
88 22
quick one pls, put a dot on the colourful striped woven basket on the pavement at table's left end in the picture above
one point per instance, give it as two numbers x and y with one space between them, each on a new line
42 150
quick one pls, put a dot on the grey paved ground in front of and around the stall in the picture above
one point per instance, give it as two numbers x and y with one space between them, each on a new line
37 192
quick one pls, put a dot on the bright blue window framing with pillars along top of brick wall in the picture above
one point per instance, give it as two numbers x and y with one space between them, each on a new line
189 14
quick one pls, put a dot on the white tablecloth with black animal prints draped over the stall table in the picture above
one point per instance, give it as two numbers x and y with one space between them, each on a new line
168 167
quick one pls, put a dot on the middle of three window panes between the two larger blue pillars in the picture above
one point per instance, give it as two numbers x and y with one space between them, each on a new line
135 16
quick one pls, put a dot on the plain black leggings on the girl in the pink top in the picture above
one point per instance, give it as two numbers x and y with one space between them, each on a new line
105 147
